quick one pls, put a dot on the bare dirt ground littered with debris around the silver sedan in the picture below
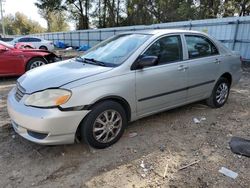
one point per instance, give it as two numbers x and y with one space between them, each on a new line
155 157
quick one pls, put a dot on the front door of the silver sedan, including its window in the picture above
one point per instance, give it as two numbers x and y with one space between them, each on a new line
163 85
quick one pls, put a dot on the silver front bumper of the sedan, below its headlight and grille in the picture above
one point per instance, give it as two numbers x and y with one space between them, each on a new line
55 126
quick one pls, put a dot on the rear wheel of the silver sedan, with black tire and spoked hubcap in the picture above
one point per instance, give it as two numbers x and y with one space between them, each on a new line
222 87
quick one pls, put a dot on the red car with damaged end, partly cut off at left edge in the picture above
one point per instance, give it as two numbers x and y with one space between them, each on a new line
14 61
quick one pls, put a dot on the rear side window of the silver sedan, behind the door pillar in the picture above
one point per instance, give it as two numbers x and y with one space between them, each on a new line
199 46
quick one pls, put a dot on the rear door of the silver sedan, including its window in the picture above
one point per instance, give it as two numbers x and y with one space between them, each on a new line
203 62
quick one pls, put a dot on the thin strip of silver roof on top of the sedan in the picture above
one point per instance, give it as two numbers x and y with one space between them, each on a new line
163 31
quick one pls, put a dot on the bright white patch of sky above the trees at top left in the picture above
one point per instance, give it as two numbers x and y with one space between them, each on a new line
26 7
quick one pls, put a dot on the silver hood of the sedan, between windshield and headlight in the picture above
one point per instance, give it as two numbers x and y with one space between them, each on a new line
58 74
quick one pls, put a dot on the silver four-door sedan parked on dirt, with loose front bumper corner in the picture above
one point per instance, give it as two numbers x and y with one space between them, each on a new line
122 79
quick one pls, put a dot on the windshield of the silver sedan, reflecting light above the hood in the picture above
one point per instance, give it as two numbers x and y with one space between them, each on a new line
117 49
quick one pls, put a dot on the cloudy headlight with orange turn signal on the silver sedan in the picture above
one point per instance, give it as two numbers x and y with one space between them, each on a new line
48 98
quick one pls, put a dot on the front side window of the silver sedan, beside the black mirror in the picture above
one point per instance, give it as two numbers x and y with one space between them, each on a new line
167 49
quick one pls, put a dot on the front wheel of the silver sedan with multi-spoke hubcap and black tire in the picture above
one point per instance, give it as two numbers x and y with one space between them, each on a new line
97 120
